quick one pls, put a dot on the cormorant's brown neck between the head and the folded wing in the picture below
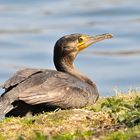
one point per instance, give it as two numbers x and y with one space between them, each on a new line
66 65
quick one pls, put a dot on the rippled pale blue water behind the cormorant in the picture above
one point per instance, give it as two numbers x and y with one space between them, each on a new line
29 29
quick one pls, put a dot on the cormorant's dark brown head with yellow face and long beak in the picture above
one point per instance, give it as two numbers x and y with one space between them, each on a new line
67 47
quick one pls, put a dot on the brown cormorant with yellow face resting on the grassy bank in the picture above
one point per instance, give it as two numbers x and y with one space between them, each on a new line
37 90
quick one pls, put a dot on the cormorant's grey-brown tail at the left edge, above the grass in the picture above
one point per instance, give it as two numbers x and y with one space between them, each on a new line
5 107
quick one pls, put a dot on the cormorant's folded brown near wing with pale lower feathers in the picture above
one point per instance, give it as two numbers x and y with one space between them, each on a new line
55 91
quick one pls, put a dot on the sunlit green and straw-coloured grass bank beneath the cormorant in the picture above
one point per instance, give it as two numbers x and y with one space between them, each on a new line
111 118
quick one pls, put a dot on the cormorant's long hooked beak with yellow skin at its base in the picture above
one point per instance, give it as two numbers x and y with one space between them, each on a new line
89 40
